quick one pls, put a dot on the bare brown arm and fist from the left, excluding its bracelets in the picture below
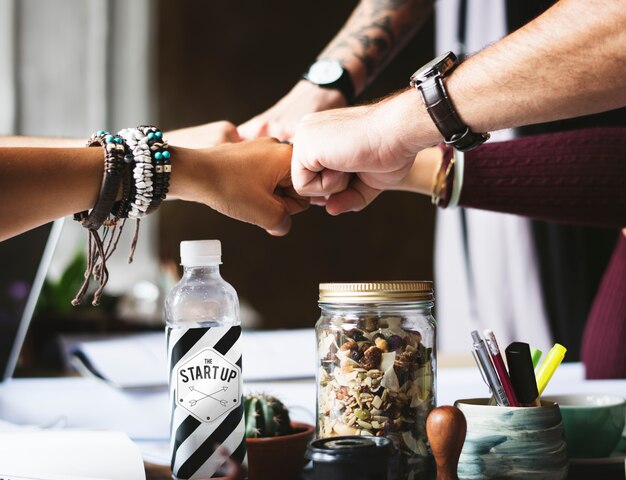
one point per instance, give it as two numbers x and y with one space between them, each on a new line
38 185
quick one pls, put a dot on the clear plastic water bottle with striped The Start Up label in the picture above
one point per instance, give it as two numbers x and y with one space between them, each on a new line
204 359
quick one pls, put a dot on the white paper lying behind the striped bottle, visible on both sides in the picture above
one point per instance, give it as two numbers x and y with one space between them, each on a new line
140 361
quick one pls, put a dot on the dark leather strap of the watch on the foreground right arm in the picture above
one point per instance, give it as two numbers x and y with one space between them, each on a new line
441 110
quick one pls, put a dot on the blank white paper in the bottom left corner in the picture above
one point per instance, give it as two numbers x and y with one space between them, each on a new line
70 455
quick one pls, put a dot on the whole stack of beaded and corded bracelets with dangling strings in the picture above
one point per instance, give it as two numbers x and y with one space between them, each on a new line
137 160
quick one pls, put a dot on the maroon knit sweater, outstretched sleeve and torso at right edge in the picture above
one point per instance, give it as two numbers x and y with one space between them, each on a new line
576 177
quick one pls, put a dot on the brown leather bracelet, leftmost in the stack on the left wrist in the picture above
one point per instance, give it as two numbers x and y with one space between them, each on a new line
114 151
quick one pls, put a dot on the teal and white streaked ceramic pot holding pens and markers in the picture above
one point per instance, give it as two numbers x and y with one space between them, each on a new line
512 442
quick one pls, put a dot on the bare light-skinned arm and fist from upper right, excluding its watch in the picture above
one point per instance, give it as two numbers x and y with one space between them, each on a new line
570 61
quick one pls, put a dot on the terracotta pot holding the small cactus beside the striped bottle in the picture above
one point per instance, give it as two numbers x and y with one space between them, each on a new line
279 458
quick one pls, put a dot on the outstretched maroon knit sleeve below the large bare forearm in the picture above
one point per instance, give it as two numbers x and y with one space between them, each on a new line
576 177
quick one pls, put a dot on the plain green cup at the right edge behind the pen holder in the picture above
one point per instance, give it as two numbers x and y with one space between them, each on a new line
593 423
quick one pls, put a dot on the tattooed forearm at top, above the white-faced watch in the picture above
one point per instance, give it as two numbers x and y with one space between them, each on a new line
376 31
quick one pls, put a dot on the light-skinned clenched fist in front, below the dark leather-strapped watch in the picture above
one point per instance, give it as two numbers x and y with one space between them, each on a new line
348 156
